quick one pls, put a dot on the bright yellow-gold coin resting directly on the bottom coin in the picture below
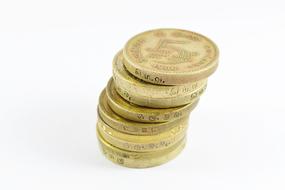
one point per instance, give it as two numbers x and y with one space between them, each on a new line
135 143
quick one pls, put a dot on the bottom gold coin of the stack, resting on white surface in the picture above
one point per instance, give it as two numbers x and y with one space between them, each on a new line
139 159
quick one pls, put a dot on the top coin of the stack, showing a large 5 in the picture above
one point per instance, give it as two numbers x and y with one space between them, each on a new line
170 56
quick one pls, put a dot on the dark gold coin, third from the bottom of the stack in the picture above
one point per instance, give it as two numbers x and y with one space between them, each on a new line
127 126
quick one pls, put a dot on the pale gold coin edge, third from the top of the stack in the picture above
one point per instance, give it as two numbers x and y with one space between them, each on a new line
160 103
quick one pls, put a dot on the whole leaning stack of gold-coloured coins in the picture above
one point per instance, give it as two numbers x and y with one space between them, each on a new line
157 81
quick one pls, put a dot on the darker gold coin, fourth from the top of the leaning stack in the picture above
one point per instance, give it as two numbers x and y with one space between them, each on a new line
144 114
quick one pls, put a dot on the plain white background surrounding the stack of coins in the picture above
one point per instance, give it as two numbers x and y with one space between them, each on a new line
55 58
